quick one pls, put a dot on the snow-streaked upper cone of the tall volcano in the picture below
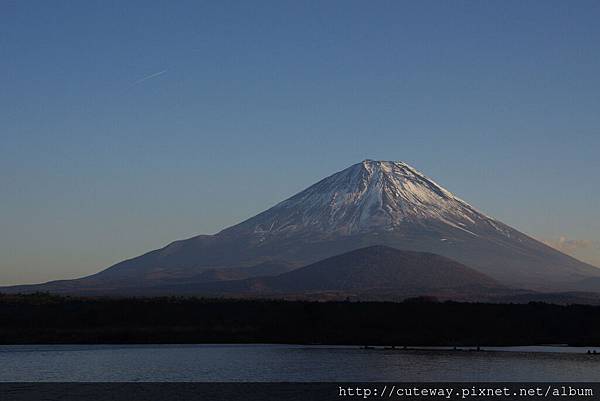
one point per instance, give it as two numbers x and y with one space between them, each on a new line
368 196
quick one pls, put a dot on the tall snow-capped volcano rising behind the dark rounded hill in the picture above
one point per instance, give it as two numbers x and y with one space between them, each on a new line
369 203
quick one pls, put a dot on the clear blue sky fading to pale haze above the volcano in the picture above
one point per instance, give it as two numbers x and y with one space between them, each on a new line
127 125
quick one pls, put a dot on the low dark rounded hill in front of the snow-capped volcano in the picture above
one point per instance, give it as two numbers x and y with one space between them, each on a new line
375 272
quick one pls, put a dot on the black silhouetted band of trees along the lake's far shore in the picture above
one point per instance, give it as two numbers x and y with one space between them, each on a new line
47 319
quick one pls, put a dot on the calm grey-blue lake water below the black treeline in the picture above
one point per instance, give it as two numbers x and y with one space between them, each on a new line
292 363
